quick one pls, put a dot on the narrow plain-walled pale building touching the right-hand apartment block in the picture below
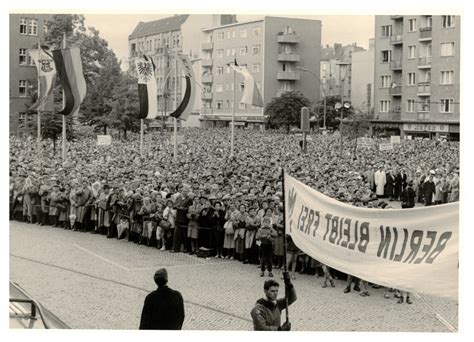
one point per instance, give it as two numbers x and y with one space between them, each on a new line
362 87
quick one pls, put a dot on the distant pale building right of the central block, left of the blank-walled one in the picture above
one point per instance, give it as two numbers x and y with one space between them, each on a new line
336 69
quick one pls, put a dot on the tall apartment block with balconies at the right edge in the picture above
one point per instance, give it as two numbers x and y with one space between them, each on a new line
417 75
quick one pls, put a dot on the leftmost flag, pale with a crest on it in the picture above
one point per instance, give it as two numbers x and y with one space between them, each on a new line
46 76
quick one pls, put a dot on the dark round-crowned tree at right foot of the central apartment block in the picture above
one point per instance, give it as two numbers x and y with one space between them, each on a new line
285 111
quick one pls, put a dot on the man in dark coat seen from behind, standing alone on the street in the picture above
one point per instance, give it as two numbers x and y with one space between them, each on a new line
163 308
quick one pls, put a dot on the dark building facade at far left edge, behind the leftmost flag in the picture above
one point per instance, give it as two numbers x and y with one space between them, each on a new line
25 32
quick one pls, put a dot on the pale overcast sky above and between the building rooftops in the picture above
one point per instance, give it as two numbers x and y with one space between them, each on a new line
346 29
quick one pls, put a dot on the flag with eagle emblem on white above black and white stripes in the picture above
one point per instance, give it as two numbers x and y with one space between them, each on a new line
147 89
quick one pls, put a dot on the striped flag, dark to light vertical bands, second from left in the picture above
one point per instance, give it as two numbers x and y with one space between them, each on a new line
69 66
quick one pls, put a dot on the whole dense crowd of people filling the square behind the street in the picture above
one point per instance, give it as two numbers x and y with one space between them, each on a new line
209 203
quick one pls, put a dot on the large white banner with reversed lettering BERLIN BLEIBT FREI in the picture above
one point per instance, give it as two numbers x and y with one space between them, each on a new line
407 249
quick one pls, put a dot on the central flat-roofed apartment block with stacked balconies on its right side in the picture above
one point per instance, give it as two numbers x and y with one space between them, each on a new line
271 48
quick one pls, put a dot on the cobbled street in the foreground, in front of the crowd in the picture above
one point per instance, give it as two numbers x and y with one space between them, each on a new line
91 282
